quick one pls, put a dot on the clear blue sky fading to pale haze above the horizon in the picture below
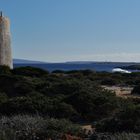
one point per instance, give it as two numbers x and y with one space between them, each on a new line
68 30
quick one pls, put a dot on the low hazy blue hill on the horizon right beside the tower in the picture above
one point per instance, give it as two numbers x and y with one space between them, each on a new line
23 61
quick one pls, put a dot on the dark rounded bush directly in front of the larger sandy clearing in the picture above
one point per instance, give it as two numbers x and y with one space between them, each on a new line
93 105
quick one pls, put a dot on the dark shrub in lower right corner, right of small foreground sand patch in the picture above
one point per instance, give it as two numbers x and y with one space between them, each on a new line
127 120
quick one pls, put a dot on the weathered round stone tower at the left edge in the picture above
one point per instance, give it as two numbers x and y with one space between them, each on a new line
5 42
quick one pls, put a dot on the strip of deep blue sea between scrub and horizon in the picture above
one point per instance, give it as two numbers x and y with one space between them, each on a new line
97 66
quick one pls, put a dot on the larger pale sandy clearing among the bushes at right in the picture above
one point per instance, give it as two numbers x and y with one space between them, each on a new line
124 92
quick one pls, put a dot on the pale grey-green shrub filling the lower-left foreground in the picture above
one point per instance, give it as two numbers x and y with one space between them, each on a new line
29 128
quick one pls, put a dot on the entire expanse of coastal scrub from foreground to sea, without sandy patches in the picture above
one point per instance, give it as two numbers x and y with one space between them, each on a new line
37 104
